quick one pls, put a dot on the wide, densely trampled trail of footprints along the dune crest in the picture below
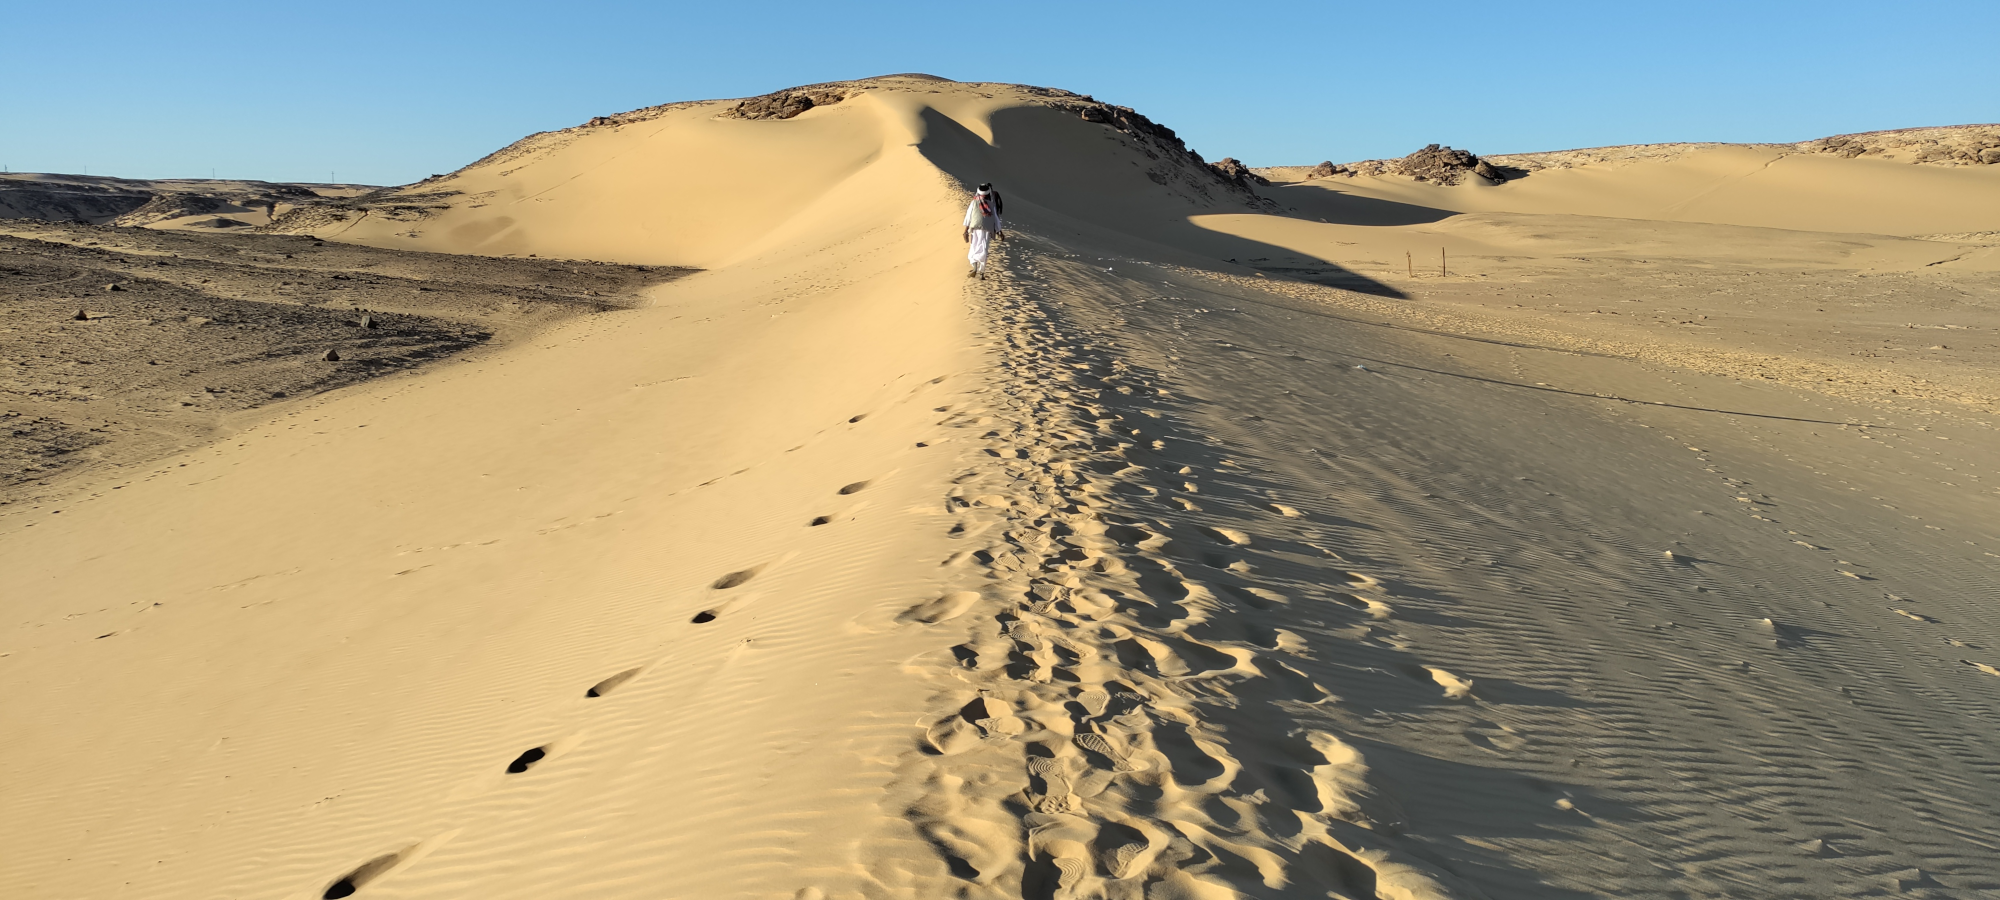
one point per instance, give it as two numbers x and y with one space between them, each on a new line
1083 735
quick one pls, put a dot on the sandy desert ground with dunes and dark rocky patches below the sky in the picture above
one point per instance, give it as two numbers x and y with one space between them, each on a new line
689 525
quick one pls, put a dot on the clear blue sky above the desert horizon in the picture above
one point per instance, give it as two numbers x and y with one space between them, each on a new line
387 93
